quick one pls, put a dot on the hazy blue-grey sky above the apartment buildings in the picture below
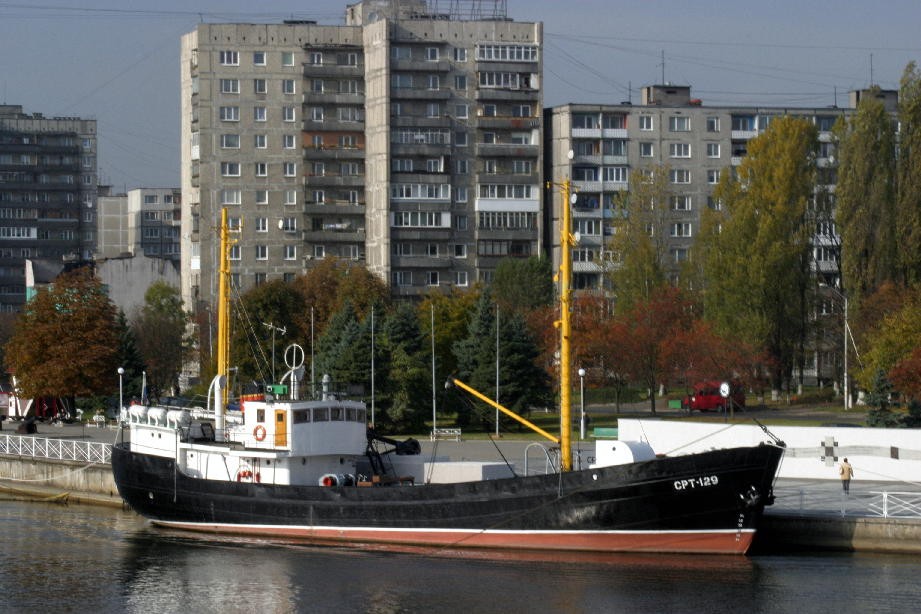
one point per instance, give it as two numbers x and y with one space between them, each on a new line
117 61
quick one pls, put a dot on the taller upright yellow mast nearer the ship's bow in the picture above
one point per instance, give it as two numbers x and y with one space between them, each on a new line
565 275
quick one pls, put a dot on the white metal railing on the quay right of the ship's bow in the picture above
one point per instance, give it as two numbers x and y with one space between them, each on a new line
806 501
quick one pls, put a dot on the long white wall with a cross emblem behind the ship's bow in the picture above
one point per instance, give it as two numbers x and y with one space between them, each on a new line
812 452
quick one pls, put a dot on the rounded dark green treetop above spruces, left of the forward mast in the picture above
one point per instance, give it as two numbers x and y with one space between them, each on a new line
523 285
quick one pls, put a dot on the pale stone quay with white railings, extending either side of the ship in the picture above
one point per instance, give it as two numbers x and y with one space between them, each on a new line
808 514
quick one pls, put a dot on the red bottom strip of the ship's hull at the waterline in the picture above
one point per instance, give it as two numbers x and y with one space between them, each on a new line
727 541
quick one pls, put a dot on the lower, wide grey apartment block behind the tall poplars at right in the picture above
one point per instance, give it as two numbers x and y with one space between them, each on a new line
697 143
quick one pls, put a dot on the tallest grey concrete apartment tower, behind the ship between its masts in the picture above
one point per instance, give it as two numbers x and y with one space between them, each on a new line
408 138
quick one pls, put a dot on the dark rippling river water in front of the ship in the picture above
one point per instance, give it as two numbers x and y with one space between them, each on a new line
58 558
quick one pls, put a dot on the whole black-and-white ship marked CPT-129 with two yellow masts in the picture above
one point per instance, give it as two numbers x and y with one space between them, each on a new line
317 471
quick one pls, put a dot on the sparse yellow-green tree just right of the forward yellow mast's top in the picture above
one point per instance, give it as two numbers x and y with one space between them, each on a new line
639 237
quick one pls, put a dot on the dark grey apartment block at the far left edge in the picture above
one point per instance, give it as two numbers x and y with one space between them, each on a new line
47 194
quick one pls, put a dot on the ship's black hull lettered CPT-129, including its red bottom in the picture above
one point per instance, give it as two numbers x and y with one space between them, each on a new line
709 502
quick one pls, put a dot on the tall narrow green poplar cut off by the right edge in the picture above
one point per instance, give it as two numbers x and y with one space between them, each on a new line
908 208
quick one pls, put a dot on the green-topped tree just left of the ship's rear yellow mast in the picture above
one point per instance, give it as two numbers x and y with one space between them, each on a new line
161 329
